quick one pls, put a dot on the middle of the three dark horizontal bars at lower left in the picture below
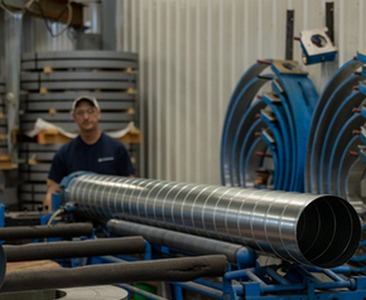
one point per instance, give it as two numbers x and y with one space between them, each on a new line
68 249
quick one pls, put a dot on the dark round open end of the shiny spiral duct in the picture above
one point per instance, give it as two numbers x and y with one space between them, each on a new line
328 232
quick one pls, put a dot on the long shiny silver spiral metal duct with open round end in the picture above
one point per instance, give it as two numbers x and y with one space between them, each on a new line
310 229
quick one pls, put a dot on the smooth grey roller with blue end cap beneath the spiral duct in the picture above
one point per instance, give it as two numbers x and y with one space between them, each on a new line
182 241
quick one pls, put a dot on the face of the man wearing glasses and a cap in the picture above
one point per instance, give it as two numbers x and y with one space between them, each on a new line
86 116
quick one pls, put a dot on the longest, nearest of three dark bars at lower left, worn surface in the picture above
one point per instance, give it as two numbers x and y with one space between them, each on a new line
171 269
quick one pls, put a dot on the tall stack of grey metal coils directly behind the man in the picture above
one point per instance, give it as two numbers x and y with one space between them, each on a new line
50 81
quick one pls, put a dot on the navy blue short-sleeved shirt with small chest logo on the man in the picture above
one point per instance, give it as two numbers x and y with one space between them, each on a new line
107 156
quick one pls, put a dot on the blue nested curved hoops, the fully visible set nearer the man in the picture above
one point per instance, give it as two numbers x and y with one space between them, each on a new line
265 131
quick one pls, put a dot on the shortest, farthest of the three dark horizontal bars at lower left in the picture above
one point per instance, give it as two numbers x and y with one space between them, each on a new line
43 231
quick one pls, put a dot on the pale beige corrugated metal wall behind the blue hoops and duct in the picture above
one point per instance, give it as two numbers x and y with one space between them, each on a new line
192 53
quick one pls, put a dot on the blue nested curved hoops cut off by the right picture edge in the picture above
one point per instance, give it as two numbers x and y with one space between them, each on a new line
334 157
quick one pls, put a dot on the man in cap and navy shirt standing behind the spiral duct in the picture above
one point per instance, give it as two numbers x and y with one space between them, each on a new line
92 150
